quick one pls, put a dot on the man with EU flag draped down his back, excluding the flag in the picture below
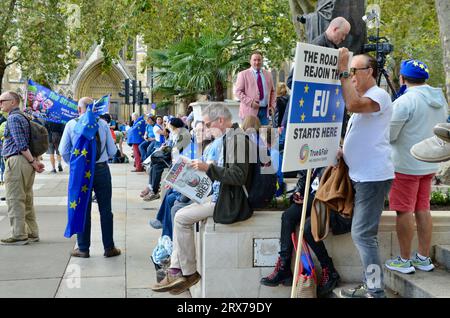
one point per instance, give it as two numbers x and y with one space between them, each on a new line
101 184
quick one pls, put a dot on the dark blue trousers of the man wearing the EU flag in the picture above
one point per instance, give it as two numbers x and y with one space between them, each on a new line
103 191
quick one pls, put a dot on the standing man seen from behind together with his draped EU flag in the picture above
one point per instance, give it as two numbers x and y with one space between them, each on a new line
87 145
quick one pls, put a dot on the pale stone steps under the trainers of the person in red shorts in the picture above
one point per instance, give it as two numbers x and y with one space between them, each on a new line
421 284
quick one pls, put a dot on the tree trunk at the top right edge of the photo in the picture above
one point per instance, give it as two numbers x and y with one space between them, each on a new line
443 12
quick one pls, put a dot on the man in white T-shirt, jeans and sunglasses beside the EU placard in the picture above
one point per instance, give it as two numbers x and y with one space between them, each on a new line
367 152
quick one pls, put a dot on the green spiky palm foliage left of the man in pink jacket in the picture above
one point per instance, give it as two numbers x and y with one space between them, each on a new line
201 65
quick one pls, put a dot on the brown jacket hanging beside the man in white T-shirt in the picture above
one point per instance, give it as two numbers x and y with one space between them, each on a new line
335 193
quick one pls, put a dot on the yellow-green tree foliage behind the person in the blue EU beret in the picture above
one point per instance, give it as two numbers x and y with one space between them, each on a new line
413 29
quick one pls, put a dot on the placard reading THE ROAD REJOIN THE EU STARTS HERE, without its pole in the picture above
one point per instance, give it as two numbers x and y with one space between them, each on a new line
316 109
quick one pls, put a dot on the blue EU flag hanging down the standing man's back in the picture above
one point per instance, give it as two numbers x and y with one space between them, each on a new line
81 177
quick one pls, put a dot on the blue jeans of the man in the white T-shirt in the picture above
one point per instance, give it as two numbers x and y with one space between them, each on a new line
368 206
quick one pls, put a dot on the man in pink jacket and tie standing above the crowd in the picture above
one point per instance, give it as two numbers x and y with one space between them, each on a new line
255 90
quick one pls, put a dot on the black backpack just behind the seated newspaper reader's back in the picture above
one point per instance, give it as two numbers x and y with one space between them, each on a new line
264 182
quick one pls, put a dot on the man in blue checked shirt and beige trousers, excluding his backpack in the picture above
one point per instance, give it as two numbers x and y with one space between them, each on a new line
19 174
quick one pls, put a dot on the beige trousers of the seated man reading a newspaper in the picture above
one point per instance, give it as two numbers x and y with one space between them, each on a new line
183 252
